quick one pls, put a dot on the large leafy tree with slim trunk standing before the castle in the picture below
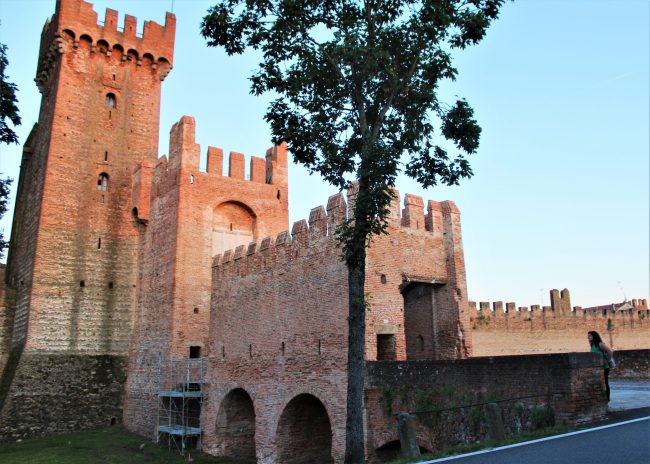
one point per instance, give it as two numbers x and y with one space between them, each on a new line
356 85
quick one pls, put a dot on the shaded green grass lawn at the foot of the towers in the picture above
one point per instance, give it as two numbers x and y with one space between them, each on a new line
112 445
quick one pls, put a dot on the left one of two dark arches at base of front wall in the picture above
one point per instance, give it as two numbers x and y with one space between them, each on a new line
235 427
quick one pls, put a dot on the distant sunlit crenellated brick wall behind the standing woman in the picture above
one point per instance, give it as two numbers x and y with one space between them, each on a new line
559 328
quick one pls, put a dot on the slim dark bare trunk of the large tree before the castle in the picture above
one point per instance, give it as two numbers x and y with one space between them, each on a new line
356 261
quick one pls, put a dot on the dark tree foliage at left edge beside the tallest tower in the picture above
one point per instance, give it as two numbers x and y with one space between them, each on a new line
8 110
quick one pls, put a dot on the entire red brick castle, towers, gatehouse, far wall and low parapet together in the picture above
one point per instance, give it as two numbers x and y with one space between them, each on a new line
122 263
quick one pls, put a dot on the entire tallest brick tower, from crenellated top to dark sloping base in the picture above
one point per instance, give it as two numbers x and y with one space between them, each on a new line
73 260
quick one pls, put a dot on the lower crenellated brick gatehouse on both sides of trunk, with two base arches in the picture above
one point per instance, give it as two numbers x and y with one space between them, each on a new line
279 334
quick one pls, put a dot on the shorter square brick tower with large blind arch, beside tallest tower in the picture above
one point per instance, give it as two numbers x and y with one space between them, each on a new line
186 215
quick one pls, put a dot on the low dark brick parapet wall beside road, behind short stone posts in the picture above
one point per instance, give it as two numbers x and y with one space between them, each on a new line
571 385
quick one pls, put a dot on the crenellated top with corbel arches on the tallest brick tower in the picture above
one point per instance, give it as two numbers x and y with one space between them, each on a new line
75 27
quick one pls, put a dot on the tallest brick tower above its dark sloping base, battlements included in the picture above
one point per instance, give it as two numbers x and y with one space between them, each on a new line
77 139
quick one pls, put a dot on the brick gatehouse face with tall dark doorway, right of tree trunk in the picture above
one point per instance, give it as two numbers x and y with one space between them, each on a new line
421 258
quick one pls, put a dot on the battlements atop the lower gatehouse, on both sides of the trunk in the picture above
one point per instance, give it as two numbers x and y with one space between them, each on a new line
323 221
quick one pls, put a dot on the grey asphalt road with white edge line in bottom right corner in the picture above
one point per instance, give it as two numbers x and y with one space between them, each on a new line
623 443
